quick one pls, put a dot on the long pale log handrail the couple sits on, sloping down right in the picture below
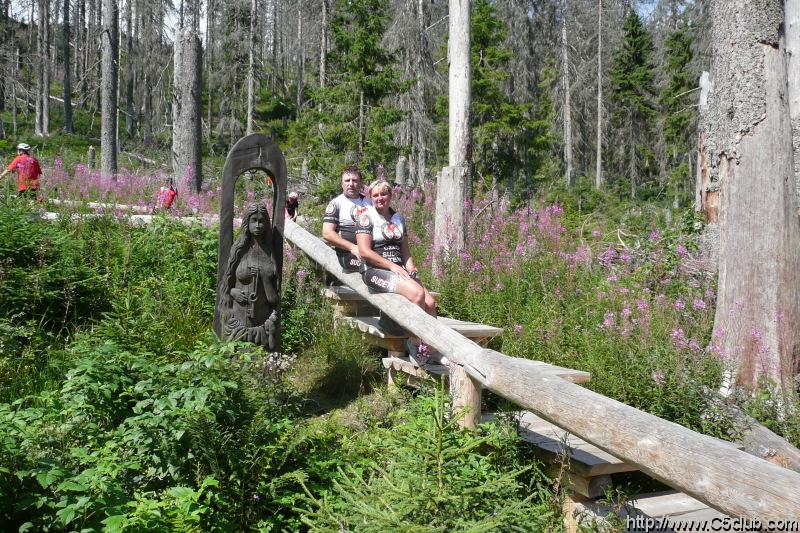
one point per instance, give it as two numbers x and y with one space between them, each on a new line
718 474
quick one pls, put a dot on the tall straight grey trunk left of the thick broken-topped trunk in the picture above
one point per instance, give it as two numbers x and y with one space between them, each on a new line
108 88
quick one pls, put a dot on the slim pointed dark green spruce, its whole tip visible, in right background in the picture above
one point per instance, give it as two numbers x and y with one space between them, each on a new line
632 96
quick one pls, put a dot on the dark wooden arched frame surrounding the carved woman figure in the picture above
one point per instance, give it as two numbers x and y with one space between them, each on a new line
254 152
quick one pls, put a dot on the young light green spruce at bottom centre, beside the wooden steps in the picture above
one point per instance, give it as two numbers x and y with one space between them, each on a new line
425 474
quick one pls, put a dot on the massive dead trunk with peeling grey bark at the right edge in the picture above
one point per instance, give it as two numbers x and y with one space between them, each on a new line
750 153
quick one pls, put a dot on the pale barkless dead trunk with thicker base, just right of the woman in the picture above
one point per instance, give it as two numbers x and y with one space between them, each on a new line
454 183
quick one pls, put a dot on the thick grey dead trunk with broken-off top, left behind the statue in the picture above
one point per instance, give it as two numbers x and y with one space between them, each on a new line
186 109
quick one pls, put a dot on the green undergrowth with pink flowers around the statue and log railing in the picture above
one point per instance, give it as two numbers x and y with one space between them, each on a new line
121 411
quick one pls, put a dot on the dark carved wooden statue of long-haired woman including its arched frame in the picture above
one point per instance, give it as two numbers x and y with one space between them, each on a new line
249 270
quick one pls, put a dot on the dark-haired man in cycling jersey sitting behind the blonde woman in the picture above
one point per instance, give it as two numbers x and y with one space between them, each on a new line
339 220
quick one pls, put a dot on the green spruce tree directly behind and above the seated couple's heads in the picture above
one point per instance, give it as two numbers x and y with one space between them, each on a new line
355 123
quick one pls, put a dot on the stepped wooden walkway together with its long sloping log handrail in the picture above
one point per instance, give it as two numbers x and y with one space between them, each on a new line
606 436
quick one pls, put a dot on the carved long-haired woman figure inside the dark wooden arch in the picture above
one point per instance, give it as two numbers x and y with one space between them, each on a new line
249 288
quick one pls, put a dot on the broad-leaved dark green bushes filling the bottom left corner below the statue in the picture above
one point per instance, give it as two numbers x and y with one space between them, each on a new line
212 440
